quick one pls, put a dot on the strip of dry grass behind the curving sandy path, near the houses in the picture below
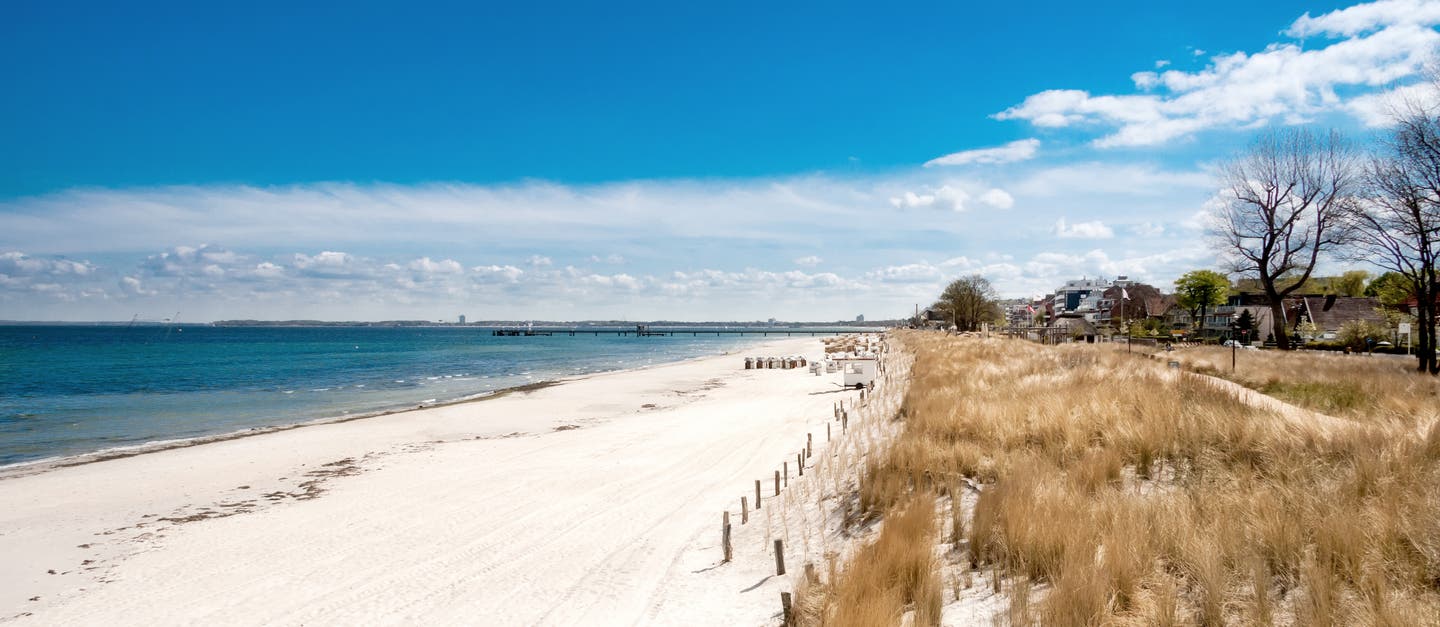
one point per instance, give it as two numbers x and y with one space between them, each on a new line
1357 387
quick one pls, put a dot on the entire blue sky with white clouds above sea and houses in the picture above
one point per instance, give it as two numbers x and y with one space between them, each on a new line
643 161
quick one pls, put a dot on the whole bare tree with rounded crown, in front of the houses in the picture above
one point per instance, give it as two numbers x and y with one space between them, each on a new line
1285 201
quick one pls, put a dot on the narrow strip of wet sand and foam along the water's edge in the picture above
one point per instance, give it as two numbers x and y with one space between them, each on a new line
25 469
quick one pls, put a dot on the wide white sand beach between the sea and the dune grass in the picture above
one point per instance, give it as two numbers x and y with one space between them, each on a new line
593 502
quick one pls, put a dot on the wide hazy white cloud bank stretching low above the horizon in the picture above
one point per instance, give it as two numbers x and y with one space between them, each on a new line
496 252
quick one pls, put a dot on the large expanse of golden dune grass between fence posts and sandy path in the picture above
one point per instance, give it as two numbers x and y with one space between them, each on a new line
1130 494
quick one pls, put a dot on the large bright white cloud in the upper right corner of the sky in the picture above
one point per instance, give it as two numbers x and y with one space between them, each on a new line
1380 44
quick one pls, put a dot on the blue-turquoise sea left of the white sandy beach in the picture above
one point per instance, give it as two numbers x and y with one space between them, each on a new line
77 390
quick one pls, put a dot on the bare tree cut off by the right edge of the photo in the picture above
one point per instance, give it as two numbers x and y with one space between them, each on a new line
1398 227
